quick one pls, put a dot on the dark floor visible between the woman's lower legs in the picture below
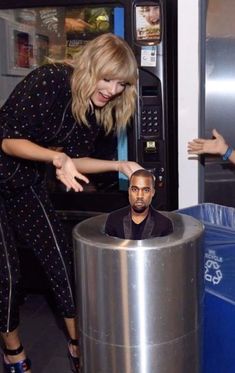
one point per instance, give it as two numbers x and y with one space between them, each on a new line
43 336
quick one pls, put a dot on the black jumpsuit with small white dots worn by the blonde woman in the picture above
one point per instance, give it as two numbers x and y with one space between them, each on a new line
39 109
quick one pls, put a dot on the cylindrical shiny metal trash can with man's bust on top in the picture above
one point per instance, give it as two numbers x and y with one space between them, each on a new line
139 301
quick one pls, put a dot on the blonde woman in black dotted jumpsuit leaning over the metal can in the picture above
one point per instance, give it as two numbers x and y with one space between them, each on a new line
57 105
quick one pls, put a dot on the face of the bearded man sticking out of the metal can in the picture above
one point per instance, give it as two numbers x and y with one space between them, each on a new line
141 192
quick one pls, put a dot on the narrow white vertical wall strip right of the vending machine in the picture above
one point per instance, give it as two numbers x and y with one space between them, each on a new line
188 96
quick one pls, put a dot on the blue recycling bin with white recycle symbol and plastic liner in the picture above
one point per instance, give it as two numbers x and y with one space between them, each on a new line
219 267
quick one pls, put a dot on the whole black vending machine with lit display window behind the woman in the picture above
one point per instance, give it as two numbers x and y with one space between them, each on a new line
57 29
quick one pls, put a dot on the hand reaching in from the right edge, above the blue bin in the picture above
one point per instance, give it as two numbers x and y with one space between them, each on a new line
217 145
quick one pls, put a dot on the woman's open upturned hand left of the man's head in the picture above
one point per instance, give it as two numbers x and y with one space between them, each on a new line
67 173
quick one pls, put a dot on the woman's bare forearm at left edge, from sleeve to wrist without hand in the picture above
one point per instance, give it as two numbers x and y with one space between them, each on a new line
28 150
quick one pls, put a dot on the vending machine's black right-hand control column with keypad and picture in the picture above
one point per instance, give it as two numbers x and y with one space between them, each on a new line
155 126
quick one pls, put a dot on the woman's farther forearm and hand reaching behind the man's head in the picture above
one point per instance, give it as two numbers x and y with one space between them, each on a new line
93 165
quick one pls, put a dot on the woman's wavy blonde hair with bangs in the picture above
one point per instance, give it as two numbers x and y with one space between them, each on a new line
105 57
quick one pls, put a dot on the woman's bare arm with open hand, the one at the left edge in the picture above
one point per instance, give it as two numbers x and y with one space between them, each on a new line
28 150
